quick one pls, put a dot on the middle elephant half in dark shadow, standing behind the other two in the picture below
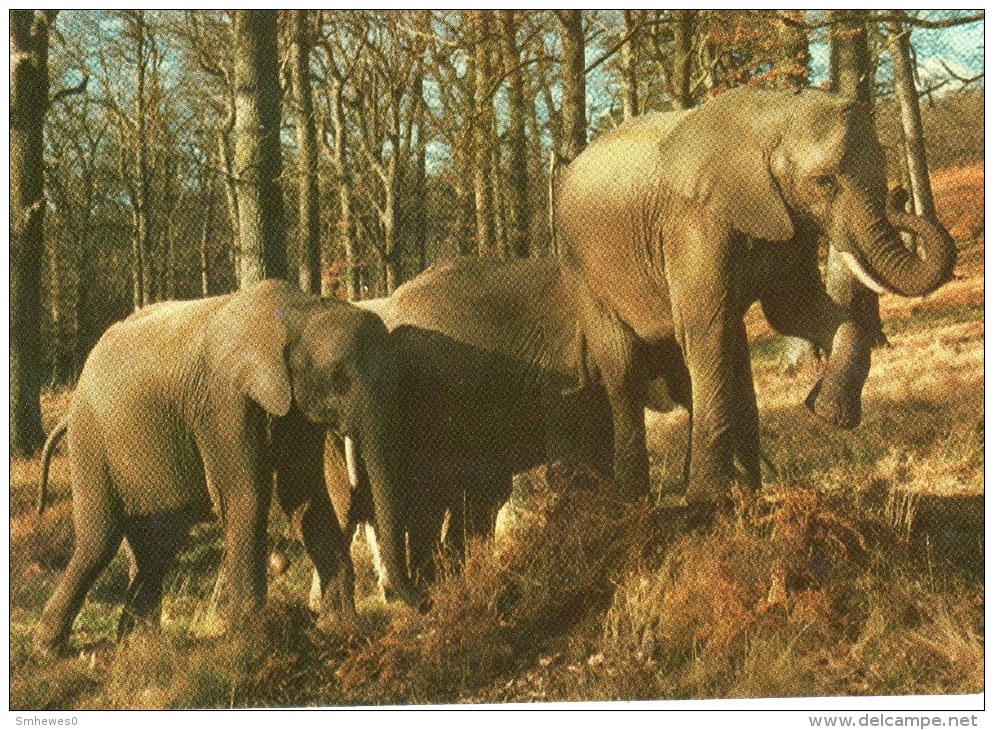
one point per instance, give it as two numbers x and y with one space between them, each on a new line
488 384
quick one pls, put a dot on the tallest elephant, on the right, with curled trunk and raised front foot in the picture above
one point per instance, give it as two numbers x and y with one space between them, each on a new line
662 223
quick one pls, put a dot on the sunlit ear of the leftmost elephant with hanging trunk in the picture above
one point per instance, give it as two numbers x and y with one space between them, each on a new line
245 344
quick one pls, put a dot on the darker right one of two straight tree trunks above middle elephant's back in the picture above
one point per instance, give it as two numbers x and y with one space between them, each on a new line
518 214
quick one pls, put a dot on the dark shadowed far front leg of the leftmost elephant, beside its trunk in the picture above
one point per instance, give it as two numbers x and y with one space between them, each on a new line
298 448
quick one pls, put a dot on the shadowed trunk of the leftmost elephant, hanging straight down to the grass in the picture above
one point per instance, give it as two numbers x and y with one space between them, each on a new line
385 485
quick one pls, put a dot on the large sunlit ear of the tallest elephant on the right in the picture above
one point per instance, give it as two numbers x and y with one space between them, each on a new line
719 157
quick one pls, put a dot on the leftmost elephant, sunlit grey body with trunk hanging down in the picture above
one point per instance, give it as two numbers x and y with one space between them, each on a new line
168 424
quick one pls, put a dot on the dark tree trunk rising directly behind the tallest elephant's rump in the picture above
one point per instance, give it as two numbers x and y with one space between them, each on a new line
572 65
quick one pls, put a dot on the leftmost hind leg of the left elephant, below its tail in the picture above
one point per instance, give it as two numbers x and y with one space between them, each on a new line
98 533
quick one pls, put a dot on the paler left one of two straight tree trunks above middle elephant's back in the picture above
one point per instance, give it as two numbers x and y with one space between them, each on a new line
483 123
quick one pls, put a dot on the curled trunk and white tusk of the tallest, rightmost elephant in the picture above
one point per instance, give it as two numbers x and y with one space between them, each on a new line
889 264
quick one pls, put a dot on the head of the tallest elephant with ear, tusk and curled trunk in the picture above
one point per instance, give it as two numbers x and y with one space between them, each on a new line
775 162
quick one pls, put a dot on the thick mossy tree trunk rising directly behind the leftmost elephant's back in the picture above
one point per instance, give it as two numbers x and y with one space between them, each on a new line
257 147
